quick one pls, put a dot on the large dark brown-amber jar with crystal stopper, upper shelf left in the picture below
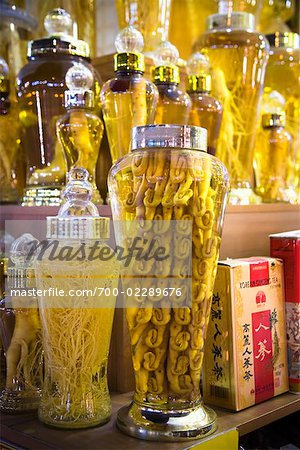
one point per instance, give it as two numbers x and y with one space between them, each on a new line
41 86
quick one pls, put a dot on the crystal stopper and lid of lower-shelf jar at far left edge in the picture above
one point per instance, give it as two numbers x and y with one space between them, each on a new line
22 254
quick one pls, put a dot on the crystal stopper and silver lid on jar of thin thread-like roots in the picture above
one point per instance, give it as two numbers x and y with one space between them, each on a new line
78 218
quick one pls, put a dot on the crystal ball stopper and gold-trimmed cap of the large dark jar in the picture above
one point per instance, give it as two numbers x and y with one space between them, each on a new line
59 25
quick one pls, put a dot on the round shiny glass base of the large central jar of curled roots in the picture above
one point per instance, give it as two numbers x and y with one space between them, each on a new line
158 425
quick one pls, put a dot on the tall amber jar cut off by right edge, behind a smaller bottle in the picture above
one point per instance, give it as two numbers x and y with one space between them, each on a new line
283 76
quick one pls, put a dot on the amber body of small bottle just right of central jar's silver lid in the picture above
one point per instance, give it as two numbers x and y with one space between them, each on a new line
206 112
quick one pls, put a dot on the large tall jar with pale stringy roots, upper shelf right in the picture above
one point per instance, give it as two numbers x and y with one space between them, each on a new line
238 57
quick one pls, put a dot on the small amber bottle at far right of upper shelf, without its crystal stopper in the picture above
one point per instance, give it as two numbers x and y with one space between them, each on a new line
273 161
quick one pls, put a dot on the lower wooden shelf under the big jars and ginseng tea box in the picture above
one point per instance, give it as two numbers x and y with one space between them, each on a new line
25 431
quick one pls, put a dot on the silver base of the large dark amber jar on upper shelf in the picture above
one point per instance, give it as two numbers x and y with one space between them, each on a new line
42 196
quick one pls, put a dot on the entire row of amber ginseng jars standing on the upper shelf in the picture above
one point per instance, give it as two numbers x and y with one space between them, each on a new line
235 57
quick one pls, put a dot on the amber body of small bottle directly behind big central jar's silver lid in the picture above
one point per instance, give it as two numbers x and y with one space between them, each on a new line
173 105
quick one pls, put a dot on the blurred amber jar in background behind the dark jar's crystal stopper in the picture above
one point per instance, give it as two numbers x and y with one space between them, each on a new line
82 13
